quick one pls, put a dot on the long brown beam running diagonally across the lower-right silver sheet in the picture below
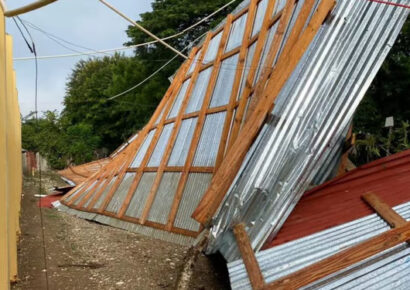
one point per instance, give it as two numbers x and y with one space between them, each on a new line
343 259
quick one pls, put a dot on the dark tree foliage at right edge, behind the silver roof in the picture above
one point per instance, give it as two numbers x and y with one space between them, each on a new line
389 95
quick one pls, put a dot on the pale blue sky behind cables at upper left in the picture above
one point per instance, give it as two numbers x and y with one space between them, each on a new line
85 22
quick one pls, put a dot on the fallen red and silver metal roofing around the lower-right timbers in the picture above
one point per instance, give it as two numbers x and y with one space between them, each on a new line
334 217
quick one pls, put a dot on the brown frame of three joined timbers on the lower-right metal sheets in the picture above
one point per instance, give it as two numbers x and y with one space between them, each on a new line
399 234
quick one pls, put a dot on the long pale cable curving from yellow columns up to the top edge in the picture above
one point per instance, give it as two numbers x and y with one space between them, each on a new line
105 51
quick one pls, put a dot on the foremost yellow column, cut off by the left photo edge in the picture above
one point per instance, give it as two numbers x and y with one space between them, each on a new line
4 272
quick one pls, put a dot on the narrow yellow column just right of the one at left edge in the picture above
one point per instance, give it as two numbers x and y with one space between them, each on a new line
12 170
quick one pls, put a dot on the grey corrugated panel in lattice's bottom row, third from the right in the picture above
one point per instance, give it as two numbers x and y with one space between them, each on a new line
139 197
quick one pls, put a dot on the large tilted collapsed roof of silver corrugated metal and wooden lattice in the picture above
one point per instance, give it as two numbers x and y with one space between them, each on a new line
257 114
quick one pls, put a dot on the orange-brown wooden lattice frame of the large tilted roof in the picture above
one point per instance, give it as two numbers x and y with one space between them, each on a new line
253 99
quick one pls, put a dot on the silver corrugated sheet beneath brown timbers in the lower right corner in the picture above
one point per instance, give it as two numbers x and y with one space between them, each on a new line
383 271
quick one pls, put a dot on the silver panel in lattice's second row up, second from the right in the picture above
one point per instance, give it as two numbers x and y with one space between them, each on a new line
183 142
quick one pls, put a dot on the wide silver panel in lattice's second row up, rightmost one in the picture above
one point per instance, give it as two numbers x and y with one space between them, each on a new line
209 142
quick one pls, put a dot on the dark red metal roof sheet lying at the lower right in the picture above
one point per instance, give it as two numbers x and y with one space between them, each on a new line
339 200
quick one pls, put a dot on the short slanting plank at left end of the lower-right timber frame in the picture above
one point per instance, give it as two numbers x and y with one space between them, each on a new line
248 257
